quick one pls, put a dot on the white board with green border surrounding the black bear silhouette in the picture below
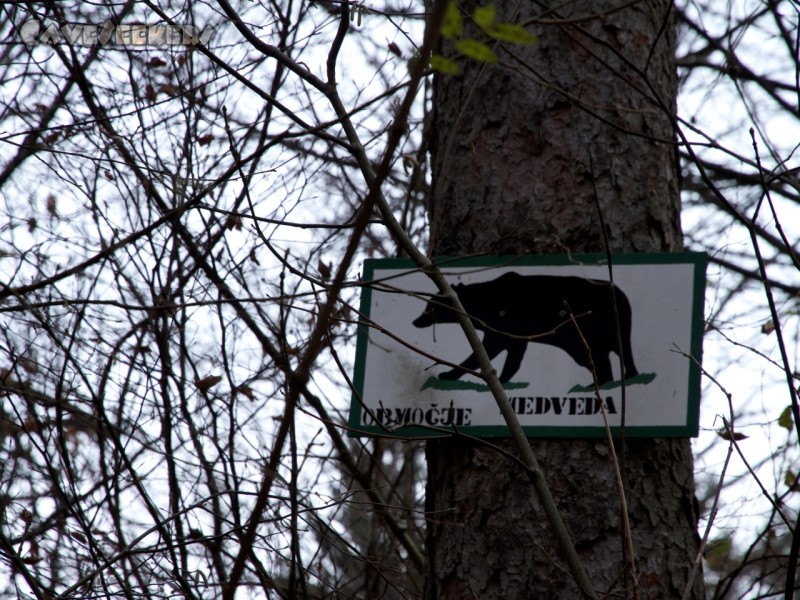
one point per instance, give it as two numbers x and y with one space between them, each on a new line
664 291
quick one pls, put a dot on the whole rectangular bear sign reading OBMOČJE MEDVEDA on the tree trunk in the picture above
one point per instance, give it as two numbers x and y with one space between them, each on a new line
555 329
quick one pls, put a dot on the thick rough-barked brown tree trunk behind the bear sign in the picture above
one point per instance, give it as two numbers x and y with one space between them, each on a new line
512 175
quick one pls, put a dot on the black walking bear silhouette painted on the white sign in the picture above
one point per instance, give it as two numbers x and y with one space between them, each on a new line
514 310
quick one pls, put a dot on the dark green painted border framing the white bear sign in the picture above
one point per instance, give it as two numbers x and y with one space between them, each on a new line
690 429
